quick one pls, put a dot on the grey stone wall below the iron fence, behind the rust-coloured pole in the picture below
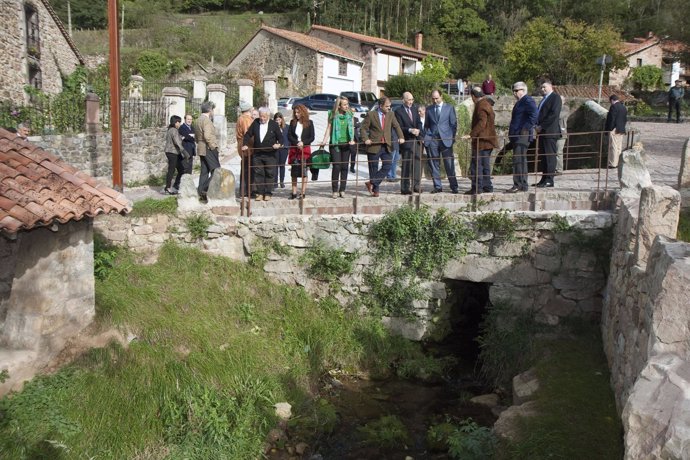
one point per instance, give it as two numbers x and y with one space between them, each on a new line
142 152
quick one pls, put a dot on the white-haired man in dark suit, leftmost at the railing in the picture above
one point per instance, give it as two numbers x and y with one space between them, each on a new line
267 139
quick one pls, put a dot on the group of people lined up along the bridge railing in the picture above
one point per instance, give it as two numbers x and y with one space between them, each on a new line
267 144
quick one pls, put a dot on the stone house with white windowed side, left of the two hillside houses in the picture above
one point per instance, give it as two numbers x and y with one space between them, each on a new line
301 64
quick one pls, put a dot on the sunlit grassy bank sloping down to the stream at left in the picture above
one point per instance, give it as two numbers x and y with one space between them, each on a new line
213 352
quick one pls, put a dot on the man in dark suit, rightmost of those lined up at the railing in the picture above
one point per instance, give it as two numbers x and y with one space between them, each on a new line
548 113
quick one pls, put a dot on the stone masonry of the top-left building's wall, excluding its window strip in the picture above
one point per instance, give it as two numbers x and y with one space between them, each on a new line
56 56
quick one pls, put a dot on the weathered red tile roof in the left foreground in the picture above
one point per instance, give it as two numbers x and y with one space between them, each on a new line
38 189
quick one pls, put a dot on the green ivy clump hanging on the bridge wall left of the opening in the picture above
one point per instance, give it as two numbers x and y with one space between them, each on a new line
410 246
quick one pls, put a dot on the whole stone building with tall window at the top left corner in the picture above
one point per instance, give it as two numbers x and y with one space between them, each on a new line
36 47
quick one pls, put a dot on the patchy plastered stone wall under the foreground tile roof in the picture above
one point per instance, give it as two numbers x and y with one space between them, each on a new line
51 295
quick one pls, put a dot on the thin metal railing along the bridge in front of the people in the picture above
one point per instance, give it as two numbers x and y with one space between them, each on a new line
584 166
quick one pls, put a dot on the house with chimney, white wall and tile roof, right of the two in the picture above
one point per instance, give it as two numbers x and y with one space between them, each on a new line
382 58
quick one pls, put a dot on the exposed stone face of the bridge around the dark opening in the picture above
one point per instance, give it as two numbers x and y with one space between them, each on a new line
553 273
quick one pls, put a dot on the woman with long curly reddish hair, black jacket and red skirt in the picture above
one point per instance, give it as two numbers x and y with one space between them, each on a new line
301 135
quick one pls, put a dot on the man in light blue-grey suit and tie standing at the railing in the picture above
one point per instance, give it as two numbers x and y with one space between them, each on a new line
441 125
